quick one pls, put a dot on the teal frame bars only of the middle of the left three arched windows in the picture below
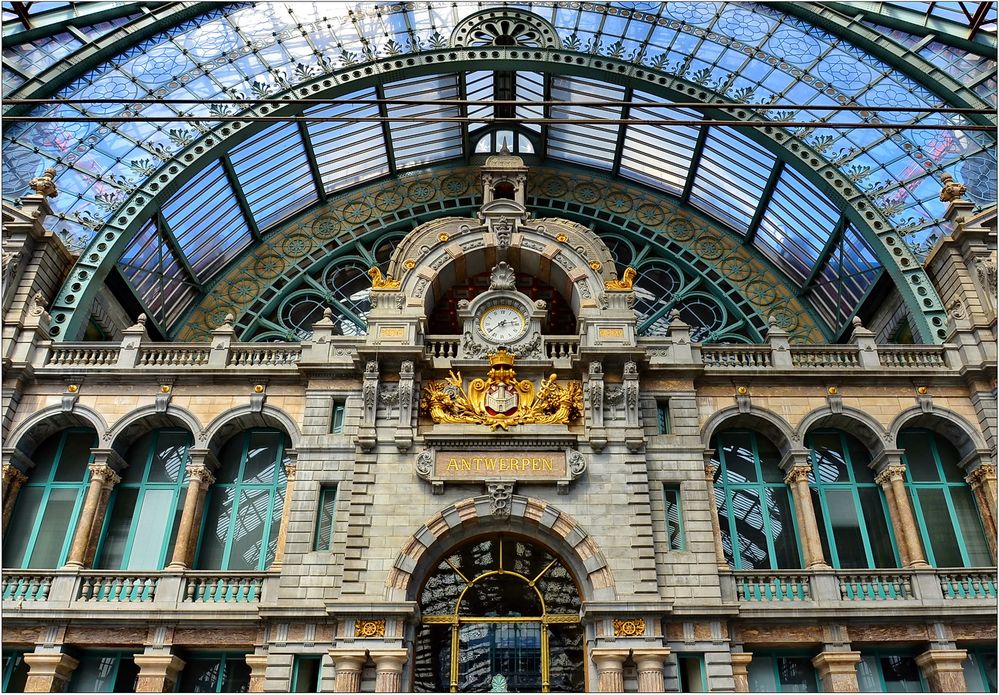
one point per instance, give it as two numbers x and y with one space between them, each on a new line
144 486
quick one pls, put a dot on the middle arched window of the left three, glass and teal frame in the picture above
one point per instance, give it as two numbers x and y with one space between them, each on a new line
140 529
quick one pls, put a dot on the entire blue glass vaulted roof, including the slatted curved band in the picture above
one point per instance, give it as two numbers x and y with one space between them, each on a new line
740 52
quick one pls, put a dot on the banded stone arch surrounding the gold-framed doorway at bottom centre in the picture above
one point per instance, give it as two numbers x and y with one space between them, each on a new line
473 516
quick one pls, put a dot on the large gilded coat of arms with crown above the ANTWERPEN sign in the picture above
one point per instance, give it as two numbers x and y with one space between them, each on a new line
501 400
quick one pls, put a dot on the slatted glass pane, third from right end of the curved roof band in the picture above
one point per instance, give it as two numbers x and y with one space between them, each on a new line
731 177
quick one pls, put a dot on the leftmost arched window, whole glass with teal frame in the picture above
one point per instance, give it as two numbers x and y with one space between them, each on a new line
44 518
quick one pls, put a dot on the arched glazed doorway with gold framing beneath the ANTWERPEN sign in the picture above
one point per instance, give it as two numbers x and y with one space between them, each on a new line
499 614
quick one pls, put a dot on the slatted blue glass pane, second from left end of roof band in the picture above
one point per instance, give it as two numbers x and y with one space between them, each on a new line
206 220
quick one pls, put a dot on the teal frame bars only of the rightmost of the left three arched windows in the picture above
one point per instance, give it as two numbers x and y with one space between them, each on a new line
275 490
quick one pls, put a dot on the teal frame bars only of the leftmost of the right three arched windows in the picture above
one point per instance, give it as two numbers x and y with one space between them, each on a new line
761 487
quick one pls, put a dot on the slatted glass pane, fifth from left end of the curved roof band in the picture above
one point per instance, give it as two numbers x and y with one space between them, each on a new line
417 143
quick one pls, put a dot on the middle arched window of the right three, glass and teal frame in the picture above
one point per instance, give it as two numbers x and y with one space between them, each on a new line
850 506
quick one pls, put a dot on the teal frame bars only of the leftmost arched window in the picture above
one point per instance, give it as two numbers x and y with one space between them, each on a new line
48 485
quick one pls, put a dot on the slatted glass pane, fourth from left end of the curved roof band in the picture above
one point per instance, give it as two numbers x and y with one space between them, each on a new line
348 153
